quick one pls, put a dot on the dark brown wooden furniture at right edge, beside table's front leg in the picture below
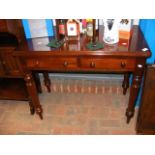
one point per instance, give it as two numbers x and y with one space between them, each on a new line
146 116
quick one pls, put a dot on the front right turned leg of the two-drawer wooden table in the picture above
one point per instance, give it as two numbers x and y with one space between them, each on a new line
136 82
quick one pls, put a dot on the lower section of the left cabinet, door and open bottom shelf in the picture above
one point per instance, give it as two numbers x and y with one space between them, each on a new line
12 84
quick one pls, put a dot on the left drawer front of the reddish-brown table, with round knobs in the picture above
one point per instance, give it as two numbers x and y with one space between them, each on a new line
52 63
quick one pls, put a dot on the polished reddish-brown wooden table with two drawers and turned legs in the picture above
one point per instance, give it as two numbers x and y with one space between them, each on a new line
117 58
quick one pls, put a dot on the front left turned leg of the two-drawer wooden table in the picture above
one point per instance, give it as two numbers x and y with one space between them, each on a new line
32 91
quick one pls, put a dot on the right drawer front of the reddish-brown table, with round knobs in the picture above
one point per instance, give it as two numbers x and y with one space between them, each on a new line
107 63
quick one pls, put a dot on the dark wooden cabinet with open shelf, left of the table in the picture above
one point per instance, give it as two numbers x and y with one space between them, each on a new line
12 84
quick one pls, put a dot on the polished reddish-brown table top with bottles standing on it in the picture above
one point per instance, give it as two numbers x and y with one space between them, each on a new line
136 45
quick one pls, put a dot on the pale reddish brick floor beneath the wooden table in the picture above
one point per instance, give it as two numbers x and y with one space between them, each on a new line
83 107
